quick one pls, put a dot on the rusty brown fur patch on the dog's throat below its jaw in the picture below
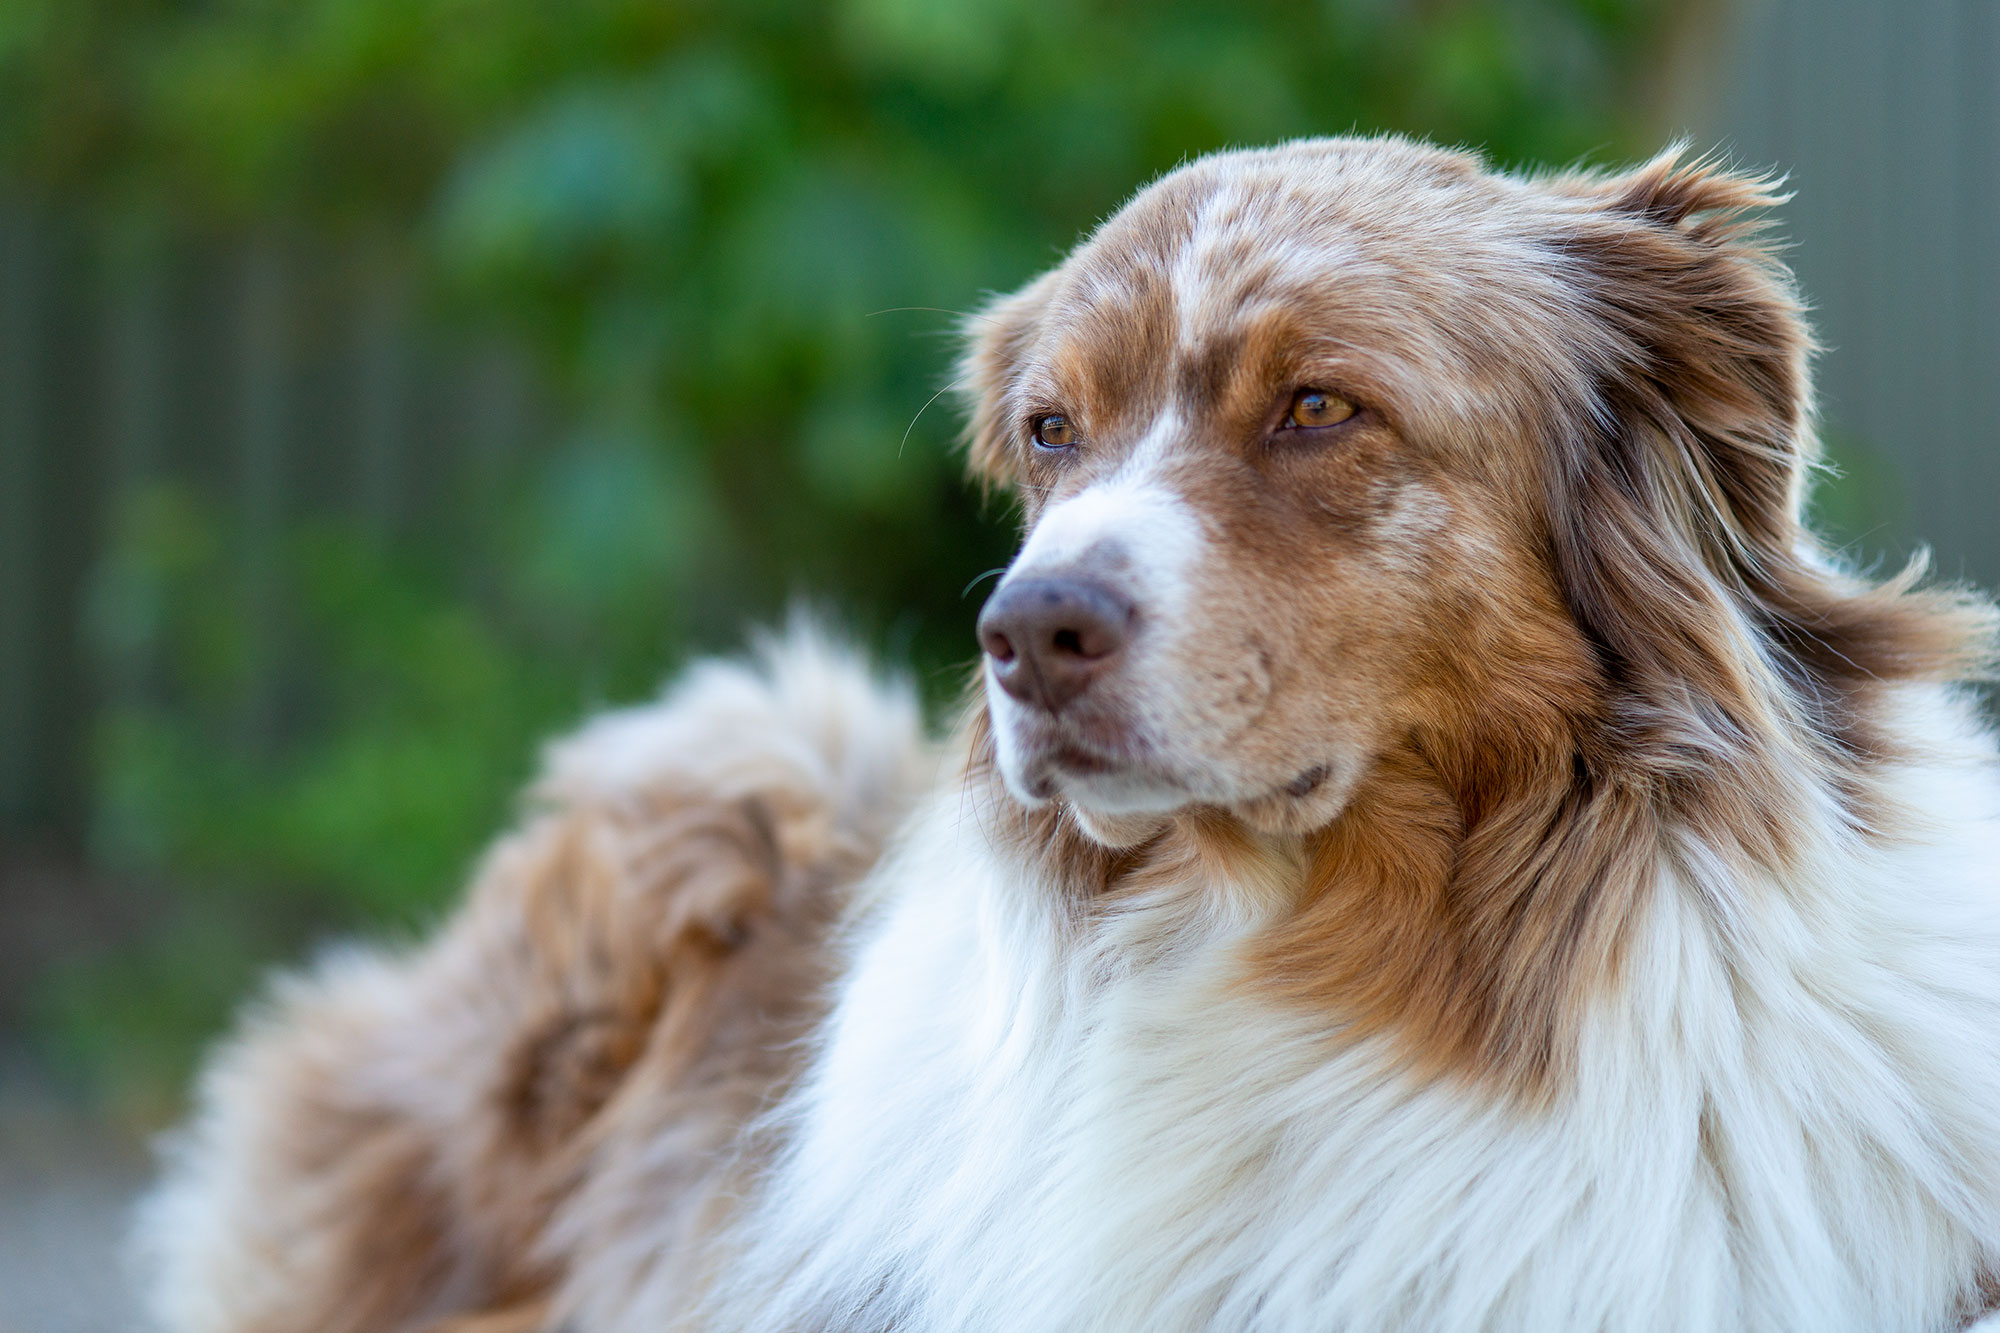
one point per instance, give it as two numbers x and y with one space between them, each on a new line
1485 880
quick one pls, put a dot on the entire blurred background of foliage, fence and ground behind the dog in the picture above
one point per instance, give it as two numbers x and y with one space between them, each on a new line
389 383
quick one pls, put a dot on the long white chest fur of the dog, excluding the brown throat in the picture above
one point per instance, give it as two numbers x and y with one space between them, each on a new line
1785 1118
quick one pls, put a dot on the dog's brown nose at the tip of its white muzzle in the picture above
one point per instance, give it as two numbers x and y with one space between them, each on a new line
1049 637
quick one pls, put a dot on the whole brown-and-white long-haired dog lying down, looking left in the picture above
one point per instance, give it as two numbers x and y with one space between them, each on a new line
1437 844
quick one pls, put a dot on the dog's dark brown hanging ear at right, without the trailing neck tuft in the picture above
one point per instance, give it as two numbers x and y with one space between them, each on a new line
1685 451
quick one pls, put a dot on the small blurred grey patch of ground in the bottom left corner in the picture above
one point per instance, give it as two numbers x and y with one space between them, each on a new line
67 1188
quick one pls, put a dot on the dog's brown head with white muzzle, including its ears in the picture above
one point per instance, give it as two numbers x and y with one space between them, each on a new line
1355 445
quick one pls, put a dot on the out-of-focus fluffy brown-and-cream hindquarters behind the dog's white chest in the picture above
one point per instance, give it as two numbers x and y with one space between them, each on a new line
549 1090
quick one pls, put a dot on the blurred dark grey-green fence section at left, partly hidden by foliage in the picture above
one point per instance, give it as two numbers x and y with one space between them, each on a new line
277 377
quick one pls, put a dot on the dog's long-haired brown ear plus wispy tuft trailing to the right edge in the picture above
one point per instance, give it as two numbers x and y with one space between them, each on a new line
1675 511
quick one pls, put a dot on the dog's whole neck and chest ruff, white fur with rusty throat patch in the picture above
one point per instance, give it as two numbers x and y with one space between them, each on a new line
1743 1096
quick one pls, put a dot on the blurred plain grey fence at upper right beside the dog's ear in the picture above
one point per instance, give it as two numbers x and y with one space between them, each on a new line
1887 119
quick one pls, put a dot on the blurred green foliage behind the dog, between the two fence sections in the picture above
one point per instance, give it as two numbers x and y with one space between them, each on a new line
735 237
